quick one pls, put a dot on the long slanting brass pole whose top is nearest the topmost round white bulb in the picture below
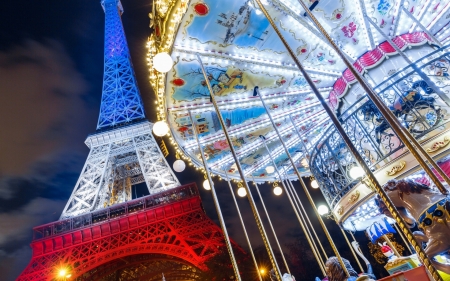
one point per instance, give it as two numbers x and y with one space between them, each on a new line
242 175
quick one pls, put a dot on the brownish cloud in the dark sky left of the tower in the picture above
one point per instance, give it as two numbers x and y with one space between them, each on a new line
41 104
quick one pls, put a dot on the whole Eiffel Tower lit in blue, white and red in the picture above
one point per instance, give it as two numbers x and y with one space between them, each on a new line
103 230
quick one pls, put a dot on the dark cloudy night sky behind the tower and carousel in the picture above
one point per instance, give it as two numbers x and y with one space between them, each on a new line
51 69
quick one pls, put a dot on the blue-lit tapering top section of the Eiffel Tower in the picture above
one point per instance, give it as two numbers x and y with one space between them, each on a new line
121 101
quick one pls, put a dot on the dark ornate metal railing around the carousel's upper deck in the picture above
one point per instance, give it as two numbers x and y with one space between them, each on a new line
422 110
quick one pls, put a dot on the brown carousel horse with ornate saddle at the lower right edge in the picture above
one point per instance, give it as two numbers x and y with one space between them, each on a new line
426 207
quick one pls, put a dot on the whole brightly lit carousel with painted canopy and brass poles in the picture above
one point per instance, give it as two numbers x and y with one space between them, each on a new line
354 96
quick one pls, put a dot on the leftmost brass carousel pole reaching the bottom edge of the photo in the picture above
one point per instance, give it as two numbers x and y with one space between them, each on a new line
216 202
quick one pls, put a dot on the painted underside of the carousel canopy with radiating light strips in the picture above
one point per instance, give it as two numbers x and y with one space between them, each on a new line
240 50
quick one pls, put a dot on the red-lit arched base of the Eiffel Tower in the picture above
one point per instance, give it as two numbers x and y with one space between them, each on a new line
171 225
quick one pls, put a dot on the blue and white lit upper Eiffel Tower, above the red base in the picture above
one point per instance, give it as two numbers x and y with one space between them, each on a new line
123 151
